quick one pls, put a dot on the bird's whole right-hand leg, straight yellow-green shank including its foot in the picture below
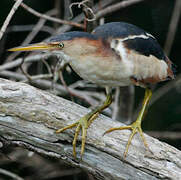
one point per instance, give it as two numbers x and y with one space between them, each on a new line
136 126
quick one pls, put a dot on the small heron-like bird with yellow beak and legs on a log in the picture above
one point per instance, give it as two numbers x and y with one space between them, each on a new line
114 54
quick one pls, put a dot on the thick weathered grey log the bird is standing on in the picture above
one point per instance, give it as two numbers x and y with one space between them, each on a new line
29 117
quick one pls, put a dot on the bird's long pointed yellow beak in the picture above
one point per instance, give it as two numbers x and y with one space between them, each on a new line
33 47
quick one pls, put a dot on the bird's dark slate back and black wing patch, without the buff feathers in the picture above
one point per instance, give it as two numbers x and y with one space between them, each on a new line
133 38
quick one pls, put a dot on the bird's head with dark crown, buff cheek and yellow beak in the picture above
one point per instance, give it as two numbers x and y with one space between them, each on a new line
73 44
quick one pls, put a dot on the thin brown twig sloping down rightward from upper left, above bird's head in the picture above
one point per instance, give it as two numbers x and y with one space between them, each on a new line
36 13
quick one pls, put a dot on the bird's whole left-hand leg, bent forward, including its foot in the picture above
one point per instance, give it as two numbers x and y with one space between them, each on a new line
84 122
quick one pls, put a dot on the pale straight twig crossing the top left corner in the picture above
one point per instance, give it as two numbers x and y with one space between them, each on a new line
10 15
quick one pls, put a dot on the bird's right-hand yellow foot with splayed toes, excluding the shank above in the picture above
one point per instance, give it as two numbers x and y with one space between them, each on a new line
135 128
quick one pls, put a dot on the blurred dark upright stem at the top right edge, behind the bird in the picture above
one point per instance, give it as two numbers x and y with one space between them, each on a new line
173 26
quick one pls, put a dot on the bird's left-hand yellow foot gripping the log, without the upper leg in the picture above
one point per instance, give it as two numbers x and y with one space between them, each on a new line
81 125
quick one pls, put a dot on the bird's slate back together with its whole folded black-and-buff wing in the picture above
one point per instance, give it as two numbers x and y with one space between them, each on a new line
130 41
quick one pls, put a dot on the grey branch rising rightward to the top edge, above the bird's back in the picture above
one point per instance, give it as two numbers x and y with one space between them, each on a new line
116 7
